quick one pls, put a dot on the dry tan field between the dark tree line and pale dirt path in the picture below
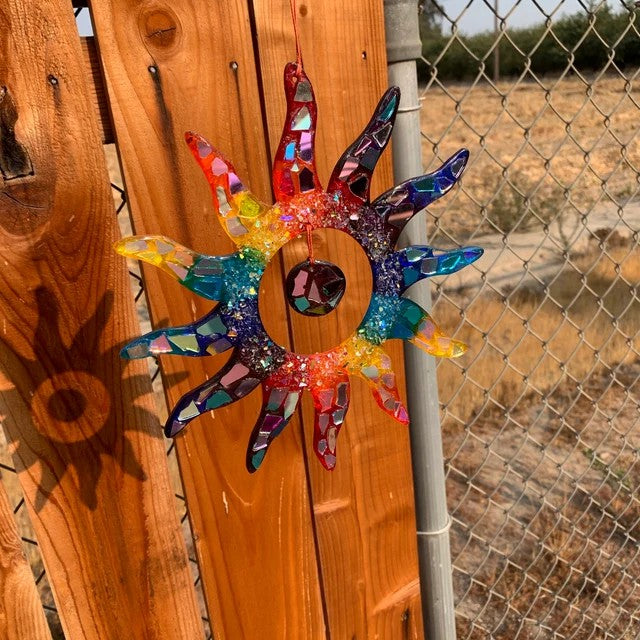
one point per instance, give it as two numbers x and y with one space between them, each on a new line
535 154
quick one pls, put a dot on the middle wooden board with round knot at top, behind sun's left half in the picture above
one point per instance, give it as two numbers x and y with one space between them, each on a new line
169 68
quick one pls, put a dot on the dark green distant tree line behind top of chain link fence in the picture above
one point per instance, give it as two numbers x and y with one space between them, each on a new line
586 39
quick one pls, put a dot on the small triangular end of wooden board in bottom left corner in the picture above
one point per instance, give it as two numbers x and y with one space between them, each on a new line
21 613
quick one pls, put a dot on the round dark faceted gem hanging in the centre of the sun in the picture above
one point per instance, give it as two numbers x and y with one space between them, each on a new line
315 288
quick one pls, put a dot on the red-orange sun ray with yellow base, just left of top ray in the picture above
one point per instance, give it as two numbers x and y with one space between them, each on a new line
237 207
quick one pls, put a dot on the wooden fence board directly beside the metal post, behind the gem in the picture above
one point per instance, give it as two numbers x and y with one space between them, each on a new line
364 508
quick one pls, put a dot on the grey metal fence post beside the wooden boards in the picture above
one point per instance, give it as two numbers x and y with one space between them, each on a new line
403 47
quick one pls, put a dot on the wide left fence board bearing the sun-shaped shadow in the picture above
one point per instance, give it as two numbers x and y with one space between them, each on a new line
80 423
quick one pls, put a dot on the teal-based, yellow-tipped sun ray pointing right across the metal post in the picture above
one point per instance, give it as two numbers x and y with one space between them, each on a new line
414 324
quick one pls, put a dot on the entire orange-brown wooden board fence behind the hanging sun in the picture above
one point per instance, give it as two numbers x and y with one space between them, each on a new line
289 552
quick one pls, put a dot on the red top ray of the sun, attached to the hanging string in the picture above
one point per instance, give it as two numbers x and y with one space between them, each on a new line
294 167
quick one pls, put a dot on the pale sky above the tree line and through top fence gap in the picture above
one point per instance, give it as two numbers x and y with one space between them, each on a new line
477 17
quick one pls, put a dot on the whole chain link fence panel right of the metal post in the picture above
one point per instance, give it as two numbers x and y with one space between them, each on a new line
541 419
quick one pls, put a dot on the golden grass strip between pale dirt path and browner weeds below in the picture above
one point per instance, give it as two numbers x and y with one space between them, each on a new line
580 324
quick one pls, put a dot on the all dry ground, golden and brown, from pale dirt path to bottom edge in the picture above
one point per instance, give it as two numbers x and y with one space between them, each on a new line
542 438
